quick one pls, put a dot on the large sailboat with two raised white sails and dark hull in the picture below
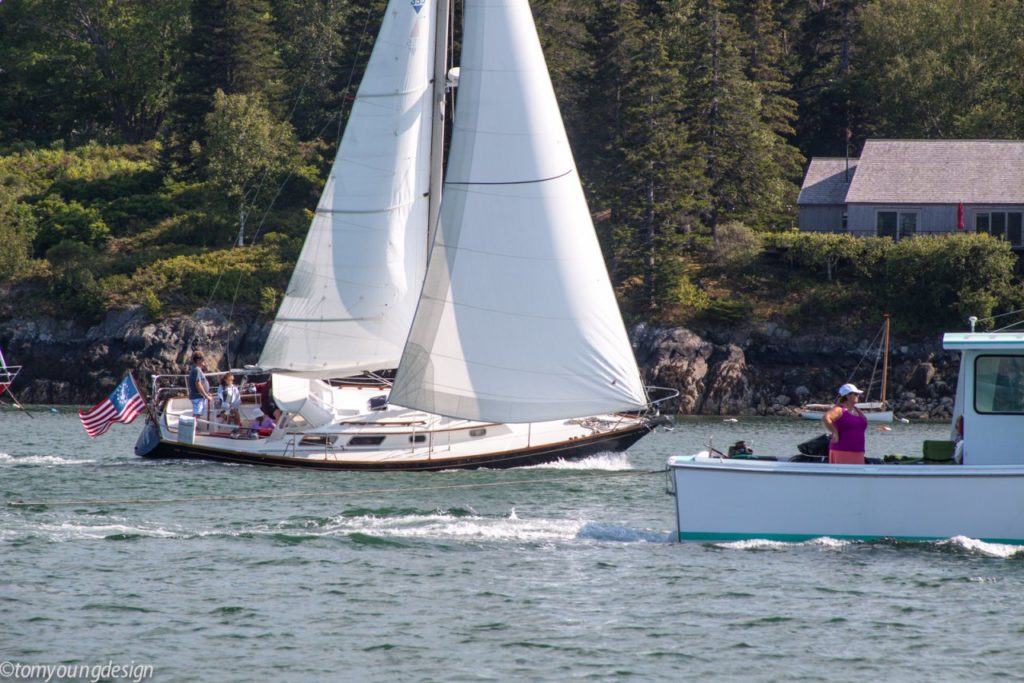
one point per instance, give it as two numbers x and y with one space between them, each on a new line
507 340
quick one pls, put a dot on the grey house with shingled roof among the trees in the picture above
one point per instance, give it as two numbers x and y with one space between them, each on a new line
904 188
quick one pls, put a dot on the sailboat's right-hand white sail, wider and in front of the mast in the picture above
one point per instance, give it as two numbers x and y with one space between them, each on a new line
518 321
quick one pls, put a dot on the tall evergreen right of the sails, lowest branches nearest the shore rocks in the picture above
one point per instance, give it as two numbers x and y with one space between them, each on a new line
653 177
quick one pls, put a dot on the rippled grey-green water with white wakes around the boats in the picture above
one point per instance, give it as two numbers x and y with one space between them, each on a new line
210 572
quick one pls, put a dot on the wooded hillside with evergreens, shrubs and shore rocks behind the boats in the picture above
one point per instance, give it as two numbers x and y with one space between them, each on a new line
156 186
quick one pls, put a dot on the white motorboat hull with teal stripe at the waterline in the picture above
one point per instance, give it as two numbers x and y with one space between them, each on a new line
721 500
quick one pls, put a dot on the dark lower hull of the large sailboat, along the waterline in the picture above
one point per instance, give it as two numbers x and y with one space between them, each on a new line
151 446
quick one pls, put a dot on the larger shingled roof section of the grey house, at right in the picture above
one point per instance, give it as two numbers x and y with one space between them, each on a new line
940 173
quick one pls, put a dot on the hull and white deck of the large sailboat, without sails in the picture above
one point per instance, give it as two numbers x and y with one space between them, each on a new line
395 439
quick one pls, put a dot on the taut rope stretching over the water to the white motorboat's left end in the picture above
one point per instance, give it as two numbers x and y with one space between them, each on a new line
328 494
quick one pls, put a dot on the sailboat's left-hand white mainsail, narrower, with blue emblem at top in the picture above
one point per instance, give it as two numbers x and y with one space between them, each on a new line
353 295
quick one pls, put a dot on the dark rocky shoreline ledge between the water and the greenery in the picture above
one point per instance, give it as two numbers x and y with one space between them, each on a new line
761 370
